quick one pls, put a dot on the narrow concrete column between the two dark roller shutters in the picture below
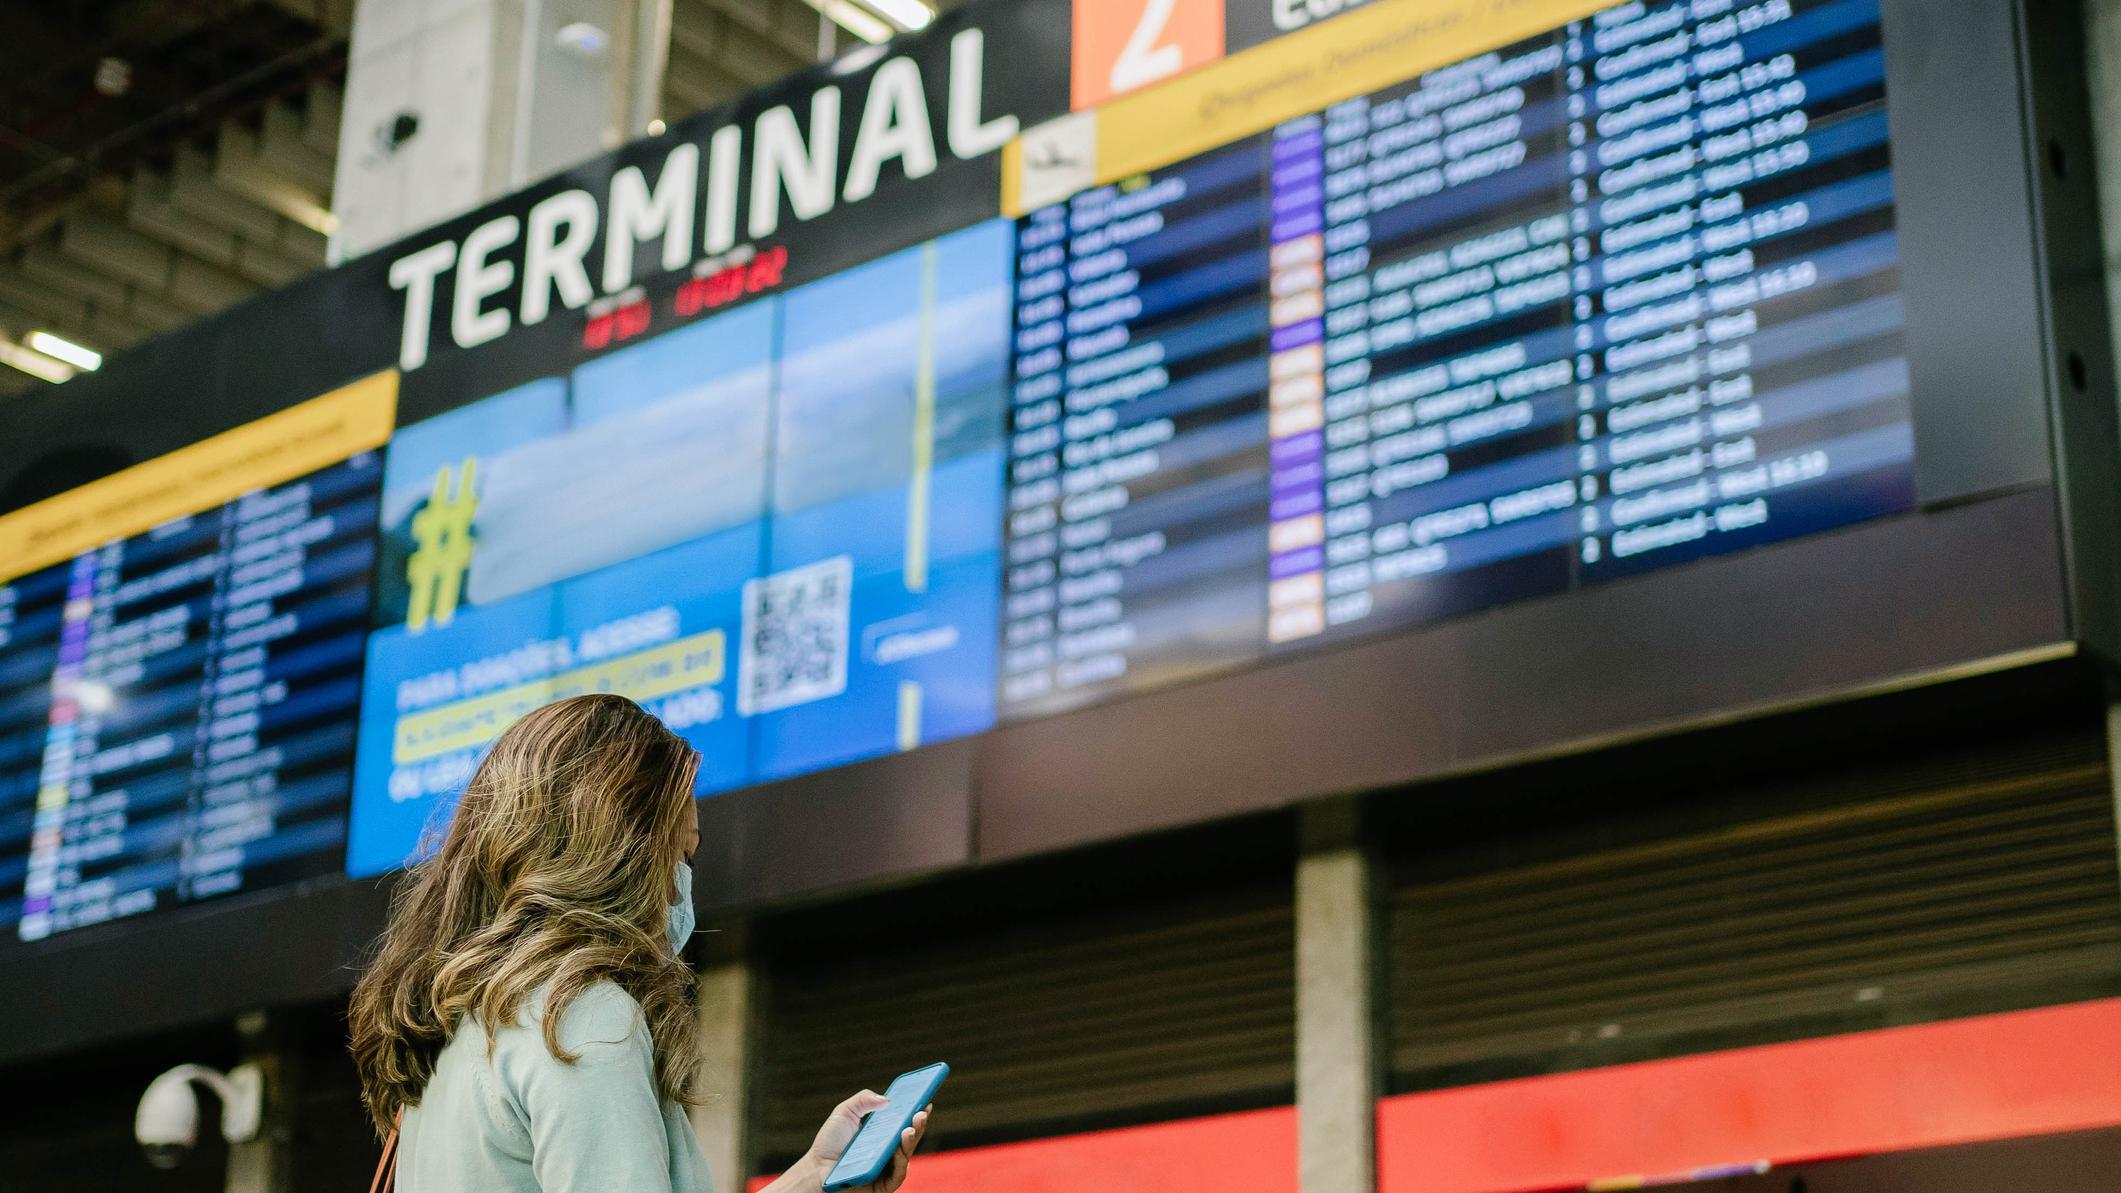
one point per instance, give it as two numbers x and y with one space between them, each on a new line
1339 1071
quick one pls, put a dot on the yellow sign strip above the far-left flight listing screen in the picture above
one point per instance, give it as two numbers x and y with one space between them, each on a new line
207 474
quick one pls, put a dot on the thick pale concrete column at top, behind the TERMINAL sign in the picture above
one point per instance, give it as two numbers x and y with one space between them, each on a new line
453 103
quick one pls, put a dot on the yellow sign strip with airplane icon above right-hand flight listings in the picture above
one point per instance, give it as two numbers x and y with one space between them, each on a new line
1289 77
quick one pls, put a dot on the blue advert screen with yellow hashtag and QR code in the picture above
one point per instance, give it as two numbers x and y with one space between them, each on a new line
779 530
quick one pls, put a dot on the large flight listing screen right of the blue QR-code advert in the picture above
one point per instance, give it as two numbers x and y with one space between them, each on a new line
1598 302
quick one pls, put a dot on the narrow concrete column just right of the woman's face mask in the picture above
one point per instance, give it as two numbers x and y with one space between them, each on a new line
731 997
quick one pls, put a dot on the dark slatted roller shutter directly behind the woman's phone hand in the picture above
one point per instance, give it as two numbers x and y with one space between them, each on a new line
1079 1020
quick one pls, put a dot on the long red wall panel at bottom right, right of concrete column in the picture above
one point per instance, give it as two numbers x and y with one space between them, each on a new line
1874 1092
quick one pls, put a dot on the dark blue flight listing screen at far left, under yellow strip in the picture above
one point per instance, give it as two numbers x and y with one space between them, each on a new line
177 710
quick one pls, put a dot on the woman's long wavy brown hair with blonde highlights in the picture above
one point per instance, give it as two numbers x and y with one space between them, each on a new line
557 869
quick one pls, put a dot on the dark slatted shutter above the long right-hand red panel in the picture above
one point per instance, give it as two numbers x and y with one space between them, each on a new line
1910 859
